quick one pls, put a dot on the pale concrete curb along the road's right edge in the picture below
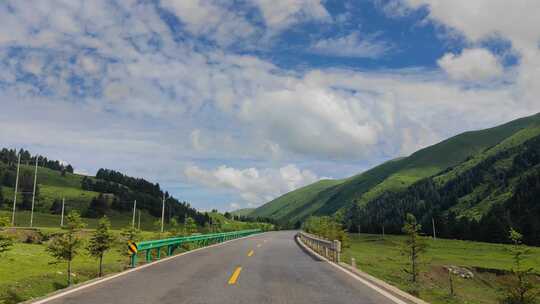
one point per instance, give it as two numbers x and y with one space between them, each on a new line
393 293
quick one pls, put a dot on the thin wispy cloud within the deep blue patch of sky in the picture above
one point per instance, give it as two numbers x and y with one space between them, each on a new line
351 45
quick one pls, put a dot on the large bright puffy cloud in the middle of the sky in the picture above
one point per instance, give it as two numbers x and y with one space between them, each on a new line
308 118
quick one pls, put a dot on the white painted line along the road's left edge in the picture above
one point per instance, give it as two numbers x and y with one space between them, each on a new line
70 291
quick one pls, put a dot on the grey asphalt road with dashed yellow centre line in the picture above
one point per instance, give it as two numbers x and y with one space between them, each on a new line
277 271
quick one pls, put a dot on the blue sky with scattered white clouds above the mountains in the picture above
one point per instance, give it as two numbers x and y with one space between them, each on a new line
229 104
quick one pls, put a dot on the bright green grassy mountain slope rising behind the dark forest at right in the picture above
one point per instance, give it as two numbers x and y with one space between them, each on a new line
327 197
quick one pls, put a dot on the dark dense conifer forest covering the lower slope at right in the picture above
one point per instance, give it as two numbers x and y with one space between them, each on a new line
432 201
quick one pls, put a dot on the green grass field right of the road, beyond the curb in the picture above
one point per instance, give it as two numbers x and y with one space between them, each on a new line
383 259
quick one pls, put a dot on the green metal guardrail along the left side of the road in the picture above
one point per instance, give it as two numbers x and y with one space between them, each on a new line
173 243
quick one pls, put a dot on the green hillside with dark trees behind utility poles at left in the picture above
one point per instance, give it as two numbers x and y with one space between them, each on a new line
79 191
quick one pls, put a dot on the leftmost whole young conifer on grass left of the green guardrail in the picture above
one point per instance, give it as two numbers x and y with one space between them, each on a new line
65 247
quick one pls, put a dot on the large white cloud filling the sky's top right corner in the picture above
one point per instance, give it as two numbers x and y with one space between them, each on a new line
482 20
